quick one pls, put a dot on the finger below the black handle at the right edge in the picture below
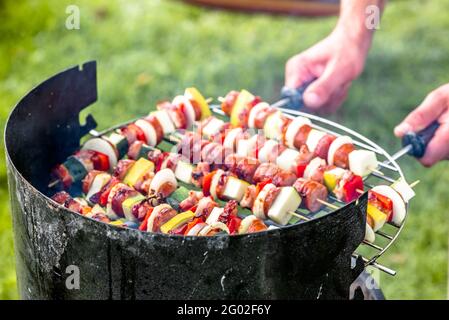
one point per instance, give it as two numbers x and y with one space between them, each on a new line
438 148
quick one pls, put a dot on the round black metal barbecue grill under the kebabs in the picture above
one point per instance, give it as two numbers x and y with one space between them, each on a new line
315 259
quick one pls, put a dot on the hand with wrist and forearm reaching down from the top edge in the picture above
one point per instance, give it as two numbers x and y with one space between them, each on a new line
337 60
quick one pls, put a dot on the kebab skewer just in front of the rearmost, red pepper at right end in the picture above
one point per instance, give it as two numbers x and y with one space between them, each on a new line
302 164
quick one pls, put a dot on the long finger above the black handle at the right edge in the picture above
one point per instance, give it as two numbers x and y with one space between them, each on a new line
430 110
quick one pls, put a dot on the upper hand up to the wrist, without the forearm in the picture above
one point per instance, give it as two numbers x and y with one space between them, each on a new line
335 62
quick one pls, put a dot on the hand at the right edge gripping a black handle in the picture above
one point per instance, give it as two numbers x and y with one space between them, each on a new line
434 107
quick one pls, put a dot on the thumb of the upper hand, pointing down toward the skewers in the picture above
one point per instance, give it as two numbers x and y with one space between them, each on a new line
320 92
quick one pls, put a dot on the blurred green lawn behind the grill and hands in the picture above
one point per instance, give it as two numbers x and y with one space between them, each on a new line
149 50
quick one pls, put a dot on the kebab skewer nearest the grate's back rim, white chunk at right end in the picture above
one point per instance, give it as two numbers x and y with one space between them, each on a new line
248 111
